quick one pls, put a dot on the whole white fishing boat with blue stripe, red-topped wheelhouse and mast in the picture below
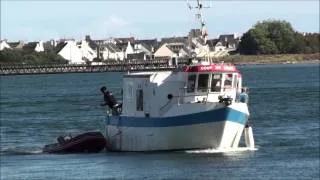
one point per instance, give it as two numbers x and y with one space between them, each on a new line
200 106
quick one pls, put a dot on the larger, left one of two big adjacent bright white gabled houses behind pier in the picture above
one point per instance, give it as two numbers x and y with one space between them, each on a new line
70 51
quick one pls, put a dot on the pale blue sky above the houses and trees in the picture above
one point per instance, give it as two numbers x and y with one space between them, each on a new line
43 20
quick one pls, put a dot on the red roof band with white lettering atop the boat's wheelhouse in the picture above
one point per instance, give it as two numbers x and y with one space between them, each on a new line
212 68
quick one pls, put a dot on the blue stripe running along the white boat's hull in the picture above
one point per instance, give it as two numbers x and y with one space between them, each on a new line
216 115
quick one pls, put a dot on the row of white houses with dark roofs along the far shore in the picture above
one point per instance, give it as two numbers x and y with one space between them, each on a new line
126 49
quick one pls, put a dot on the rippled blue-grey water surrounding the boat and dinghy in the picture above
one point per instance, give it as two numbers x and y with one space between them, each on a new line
35 109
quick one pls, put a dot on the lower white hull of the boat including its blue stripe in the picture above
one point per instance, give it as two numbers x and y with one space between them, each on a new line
124 135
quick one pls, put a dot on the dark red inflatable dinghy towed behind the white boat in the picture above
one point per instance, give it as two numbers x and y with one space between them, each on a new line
89 142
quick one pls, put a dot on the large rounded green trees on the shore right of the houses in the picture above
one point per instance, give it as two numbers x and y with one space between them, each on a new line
277 37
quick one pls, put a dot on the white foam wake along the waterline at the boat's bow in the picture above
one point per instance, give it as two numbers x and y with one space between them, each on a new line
226 150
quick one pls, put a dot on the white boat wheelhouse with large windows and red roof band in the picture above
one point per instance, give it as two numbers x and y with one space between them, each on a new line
213 81
